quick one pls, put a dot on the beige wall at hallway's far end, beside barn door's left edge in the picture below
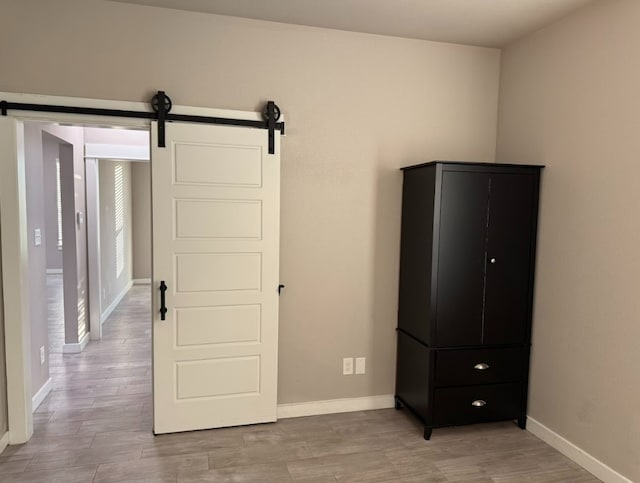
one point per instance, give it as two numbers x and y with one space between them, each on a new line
141 212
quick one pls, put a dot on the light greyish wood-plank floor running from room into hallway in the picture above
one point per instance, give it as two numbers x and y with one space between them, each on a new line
96 426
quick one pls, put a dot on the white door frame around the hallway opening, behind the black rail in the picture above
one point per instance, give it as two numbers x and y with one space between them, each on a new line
15 237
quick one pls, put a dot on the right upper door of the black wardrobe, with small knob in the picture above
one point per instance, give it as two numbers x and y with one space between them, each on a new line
511 218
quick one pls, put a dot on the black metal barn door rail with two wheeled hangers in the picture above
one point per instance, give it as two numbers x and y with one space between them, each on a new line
161 105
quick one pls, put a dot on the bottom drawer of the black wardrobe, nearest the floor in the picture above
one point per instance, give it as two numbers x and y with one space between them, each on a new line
476 404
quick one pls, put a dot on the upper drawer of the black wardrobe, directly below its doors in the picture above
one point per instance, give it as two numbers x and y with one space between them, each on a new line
478 366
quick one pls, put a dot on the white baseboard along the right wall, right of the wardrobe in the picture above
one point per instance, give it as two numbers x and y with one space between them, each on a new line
574 453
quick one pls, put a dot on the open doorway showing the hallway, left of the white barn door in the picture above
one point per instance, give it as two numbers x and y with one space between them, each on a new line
88 216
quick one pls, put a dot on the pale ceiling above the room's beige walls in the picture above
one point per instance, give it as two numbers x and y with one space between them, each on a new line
490 23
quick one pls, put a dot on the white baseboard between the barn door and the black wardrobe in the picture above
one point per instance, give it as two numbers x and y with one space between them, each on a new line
313 408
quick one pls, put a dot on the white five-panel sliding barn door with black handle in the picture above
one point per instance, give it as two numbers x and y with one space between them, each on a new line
216 205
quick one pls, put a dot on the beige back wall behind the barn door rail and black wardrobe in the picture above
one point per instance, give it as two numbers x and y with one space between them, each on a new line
357 106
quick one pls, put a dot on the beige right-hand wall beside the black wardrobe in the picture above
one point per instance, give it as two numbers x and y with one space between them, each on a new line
569 99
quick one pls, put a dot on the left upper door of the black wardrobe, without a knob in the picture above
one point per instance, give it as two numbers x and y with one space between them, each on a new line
461 259
